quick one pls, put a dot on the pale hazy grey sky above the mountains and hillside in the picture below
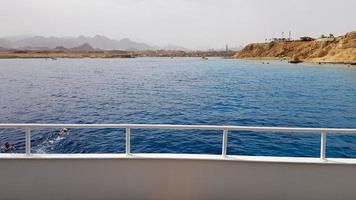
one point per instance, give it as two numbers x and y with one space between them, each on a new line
190 23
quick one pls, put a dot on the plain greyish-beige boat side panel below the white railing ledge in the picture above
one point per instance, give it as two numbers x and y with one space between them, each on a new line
89 179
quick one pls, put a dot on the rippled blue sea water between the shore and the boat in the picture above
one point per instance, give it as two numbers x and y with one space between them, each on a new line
178 91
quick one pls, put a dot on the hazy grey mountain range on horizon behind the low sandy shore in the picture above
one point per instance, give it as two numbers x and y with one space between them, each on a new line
96 42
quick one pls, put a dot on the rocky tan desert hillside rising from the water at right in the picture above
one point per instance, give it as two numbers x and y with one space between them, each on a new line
332 49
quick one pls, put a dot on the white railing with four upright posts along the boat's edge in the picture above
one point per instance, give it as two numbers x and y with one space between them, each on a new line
224 129
